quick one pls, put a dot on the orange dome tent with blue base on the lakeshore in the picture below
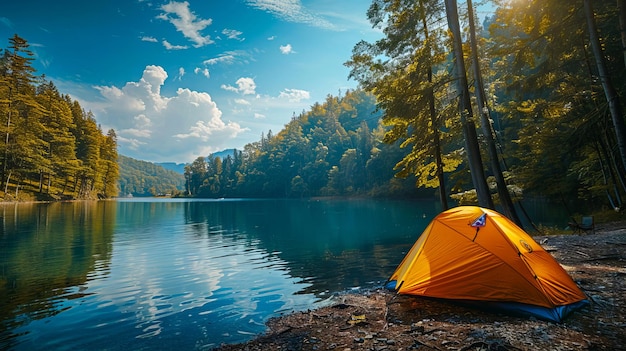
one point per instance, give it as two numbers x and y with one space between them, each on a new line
471 253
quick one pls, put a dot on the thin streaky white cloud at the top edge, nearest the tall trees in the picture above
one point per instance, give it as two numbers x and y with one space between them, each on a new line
291 11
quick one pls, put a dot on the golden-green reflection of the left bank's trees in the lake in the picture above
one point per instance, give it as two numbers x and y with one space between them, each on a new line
46 249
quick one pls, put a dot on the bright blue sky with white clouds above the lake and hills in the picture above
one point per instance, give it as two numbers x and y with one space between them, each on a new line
177 80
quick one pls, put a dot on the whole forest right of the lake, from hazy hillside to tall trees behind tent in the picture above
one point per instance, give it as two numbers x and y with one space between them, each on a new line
530 103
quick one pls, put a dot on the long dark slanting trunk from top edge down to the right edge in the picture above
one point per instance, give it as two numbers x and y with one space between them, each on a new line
615 107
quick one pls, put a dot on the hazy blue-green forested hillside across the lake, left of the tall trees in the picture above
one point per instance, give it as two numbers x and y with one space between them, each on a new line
334 149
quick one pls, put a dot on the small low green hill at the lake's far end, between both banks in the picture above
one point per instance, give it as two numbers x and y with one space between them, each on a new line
141 178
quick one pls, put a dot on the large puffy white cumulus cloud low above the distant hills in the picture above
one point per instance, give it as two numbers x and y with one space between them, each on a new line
160 128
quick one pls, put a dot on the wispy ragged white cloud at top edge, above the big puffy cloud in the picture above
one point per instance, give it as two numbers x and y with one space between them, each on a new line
186 22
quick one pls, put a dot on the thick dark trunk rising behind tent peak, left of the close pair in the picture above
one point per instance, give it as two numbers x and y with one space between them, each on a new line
465 109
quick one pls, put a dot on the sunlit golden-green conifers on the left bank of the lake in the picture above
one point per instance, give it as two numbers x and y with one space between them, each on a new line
49 145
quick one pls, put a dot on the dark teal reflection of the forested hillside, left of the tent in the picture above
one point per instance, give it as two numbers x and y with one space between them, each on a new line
330 244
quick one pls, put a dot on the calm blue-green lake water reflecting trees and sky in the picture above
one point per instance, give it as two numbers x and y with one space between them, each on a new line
156 274
